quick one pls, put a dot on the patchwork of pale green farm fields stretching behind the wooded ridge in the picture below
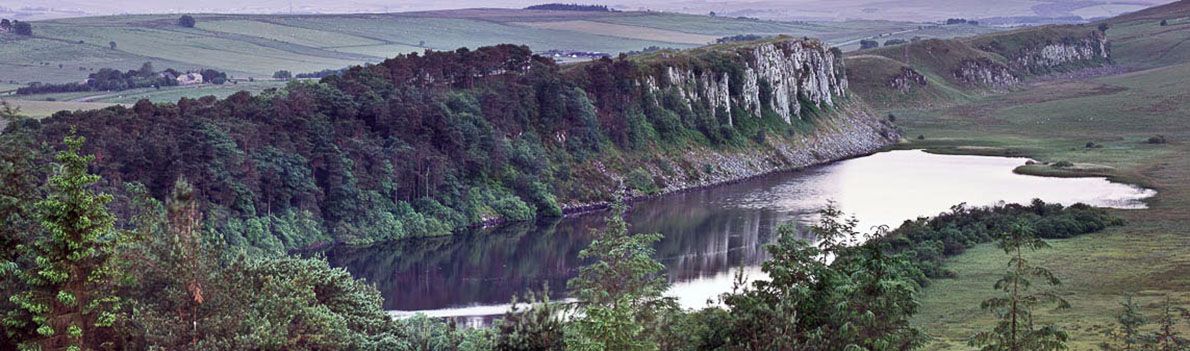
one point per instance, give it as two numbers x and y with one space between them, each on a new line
256 46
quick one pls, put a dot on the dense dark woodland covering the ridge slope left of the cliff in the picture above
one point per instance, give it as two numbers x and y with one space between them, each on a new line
417 146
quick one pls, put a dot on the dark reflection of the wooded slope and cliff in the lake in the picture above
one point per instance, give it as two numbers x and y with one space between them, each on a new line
487 267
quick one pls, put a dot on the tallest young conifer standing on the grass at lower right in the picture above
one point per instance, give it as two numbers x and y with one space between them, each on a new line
1018 330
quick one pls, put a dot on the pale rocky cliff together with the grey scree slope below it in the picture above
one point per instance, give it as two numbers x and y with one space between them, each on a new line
801 84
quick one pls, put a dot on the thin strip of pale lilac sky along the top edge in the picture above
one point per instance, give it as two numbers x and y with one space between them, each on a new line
819 10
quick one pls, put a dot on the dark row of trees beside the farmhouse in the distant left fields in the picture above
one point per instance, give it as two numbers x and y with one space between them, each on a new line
114 80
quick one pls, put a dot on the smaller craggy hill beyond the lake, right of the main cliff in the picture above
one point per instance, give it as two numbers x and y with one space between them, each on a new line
947 71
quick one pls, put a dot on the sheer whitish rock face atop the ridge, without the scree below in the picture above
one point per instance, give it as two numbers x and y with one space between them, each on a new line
796 71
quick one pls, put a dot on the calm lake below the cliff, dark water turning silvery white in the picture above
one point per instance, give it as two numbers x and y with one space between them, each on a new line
710 235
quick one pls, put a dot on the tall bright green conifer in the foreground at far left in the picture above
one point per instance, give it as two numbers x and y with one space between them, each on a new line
68 292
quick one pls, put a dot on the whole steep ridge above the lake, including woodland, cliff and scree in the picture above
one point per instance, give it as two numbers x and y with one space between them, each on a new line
425 145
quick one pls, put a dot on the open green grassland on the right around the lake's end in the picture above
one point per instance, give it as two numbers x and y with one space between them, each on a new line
1053 122
